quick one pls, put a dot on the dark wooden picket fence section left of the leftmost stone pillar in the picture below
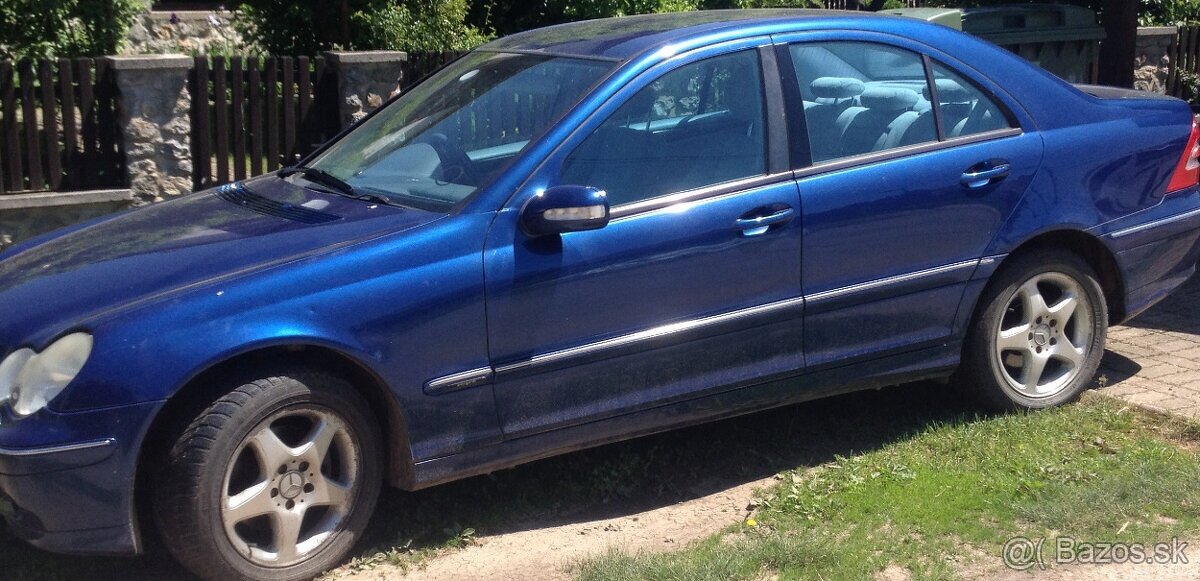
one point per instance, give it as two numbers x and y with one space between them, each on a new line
58 127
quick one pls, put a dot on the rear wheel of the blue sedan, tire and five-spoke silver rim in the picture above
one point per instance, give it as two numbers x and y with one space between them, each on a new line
998 376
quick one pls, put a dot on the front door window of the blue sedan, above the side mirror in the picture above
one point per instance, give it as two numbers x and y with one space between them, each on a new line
699 125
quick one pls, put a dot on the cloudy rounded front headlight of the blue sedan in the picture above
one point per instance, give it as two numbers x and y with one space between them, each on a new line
29 380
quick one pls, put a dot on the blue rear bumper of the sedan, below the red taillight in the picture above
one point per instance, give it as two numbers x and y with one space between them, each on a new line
1157 251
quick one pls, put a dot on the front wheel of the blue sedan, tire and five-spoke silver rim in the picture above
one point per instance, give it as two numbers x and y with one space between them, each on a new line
221 446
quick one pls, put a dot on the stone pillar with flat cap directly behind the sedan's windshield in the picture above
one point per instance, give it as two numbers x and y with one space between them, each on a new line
364 81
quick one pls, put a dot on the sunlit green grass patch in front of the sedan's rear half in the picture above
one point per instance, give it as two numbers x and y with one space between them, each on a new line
950 496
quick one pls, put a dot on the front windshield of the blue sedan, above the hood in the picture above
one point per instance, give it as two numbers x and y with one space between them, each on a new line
455 133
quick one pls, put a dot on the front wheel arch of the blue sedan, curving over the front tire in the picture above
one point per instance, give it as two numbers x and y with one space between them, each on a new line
209 385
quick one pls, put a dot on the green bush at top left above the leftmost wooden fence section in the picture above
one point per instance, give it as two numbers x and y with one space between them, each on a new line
64 28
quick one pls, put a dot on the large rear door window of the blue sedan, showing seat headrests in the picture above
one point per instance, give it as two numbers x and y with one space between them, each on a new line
862 98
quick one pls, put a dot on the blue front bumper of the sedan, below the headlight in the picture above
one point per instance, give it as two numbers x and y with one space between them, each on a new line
75 495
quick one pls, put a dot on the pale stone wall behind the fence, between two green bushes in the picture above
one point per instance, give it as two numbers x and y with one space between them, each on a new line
184 32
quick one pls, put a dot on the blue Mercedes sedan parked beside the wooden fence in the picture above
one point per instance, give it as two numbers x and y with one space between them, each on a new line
695 217
